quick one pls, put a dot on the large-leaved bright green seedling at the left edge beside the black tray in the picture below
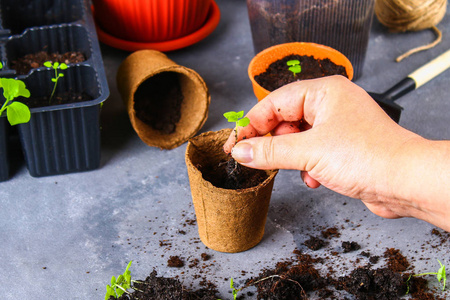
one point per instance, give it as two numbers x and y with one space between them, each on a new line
16 112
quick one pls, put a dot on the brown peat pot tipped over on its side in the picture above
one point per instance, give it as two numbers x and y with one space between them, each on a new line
167 103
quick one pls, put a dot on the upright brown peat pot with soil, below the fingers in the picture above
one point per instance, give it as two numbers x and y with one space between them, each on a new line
231 201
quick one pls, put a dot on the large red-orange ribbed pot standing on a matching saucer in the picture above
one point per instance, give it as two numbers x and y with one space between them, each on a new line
151 20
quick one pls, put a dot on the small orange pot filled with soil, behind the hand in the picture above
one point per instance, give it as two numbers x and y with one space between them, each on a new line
269 69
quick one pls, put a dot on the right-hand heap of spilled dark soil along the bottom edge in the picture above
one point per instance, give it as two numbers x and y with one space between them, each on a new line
298 278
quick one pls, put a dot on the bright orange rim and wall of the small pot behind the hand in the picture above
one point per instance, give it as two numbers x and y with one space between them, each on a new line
263 59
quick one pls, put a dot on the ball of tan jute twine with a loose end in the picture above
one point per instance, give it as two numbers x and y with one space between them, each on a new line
411 15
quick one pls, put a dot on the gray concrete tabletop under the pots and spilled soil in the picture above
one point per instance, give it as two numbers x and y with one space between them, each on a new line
63 237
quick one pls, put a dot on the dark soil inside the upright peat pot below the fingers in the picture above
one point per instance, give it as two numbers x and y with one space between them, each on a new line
232 175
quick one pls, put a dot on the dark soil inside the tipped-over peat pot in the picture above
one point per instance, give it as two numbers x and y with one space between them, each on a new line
157 102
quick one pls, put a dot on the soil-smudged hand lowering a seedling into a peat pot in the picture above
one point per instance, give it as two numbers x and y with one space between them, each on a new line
336 134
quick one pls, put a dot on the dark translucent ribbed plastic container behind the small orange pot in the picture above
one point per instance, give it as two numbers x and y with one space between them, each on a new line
342 25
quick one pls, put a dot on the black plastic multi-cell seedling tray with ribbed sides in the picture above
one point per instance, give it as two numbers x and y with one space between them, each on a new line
64 138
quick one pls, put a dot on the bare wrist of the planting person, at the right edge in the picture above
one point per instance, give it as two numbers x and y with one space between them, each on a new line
419 180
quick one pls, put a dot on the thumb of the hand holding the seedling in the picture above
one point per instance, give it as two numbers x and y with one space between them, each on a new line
275 152
